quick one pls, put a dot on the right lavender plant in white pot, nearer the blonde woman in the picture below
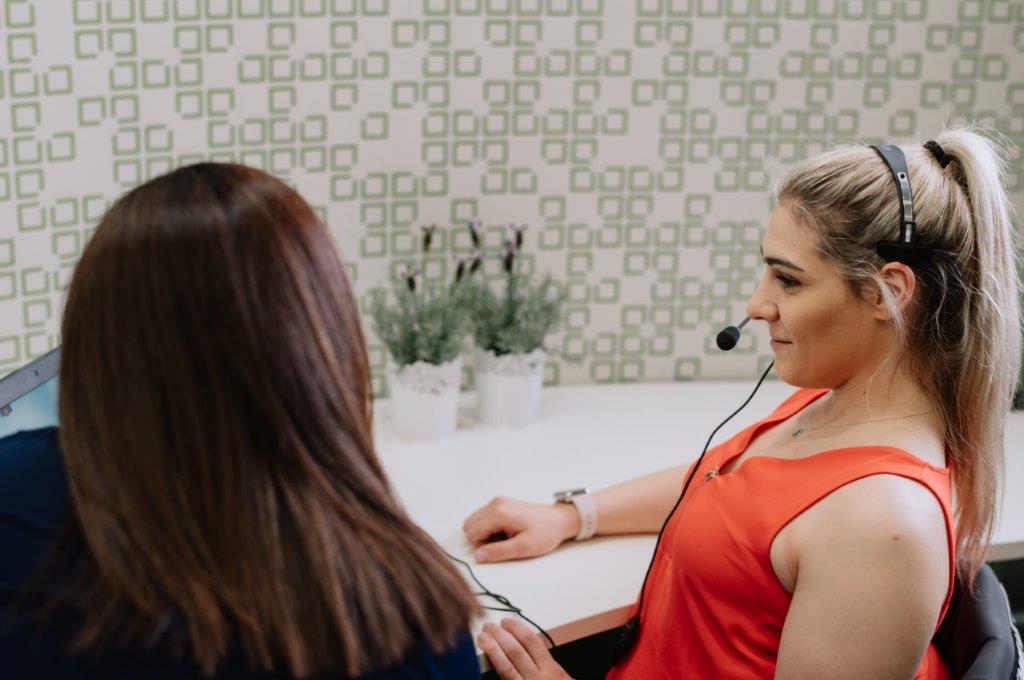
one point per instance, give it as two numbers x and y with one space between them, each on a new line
509 328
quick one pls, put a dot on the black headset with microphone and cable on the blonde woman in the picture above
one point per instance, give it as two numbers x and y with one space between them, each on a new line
907 250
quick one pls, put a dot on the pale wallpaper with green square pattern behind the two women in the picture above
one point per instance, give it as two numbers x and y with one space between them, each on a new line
631 135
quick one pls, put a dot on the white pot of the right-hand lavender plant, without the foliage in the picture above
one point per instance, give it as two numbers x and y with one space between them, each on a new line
509 388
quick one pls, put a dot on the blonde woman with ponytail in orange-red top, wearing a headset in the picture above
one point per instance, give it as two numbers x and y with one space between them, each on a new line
824 540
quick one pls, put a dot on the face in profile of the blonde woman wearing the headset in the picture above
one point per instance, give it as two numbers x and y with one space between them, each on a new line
822 334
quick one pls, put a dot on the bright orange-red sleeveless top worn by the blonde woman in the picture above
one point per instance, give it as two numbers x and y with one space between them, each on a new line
714 607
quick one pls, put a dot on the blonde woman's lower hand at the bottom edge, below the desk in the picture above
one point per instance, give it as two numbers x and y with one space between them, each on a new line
517 653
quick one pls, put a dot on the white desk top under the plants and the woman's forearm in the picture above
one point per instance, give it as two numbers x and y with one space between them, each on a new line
595 437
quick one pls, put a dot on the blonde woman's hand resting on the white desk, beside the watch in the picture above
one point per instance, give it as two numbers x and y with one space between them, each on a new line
527 530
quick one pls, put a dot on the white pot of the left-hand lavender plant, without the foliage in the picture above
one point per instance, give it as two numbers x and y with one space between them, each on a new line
425 400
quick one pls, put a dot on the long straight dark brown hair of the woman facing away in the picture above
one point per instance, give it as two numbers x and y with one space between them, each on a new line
216 411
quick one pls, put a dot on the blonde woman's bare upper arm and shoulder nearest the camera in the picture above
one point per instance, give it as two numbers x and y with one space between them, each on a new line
873 573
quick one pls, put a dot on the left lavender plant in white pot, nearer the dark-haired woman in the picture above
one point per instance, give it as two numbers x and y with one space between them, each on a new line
424 330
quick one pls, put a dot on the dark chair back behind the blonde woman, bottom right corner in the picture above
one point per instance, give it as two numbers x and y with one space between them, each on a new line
978 640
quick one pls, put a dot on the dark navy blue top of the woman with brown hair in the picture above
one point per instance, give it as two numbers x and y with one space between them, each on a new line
34 506
